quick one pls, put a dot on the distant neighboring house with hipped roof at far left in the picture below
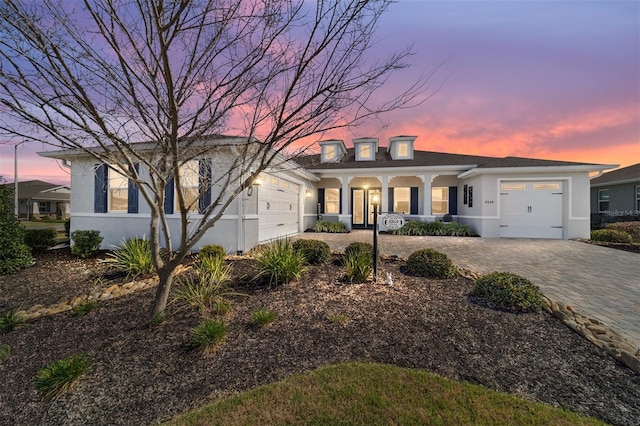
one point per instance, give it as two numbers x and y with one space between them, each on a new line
37 199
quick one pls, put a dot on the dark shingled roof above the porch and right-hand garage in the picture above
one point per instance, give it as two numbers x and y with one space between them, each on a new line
436 159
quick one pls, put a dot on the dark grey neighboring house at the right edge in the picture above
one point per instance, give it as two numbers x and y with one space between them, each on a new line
617 192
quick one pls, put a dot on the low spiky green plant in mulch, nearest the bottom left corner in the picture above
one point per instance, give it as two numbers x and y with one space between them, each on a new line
60 375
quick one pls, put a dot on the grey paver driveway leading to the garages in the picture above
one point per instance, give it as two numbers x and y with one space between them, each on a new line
597 281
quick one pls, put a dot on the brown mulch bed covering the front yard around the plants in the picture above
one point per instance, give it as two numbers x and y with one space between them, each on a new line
142 374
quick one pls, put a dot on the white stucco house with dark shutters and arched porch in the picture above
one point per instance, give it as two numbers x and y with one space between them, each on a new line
496 197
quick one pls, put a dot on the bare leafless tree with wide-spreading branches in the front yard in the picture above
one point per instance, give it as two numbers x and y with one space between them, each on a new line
148 82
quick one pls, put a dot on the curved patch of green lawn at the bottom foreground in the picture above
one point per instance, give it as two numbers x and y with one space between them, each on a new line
364 394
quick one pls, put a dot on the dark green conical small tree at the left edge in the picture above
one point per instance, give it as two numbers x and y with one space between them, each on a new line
14 253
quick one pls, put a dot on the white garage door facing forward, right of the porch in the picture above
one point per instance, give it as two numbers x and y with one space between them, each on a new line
531 209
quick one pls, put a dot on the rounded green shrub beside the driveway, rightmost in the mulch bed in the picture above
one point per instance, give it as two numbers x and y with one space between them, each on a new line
509 291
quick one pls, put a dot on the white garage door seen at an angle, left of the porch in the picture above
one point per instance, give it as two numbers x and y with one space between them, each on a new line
277 208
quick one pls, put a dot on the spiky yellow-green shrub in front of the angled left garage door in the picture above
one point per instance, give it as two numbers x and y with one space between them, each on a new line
278 262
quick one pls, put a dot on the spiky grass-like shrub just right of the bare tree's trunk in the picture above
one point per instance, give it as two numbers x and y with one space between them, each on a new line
208 288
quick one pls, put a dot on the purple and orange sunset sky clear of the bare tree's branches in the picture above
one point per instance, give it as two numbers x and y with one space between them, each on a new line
555 80
